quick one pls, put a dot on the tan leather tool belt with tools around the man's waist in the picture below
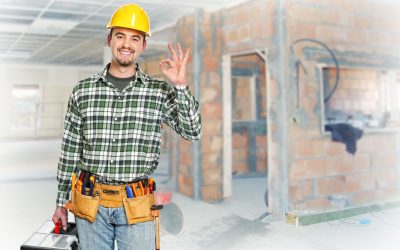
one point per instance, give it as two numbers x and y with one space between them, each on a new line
137 198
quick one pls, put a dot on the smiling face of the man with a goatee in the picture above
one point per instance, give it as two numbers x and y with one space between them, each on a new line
126 46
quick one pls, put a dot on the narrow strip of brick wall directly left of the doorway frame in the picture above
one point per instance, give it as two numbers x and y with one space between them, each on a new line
211 104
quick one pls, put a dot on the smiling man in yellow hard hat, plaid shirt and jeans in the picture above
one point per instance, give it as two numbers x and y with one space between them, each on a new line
113 131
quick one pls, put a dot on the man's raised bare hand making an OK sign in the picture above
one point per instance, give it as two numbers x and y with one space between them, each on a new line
175 70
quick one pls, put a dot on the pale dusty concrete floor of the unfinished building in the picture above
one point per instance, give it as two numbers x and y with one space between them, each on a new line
28 189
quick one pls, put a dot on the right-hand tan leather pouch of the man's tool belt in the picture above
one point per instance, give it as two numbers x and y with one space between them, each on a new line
138 209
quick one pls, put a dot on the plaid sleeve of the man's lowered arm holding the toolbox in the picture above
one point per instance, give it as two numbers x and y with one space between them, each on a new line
70 150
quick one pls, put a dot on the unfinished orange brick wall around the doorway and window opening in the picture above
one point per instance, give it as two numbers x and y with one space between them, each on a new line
362 34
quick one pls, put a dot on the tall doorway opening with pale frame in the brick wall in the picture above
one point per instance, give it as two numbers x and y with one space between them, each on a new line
245 132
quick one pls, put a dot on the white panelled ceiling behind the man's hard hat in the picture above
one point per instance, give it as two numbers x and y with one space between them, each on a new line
73 32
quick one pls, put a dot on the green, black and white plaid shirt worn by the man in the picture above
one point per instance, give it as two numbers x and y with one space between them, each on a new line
117 134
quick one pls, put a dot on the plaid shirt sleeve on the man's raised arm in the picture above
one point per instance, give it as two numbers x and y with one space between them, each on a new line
181 112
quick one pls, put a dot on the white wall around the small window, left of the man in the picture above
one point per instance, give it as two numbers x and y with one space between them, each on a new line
55 85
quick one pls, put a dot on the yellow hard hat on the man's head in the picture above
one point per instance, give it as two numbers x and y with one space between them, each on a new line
130 16
